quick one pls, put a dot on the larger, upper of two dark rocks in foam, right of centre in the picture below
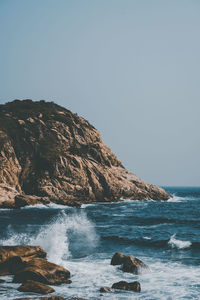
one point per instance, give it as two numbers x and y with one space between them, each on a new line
129 264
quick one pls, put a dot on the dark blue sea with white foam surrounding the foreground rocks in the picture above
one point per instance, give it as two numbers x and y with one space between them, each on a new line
165 235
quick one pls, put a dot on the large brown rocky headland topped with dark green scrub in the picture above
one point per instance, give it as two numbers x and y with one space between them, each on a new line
47 151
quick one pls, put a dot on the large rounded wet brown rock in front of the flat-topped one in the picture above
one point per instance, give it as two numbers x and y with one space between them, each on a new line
43 271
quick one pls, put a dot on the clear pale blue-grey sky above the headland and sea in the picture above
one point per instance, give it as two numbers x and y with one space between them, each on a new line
130 67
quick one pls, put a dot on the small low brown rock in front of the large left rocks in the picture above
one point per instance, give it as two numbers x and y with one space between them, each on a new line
35 287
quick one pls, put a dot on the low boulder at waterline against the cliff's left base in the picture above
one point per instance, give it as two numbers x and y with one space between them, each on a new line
27 200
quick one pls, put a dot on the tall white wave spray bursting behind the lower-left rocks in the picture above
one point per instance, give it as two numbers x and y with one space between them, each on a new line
65 236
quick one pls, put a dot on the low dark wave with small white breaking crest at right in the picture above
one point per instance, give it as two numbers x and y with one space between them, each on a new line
171 243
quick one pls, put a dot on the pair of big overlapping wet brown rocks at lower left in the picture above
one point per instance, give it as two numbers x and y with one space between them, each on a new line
29 263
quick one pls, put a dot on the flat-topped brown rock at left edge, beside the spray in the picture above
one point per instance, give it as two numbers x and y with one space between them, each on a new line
12 258
